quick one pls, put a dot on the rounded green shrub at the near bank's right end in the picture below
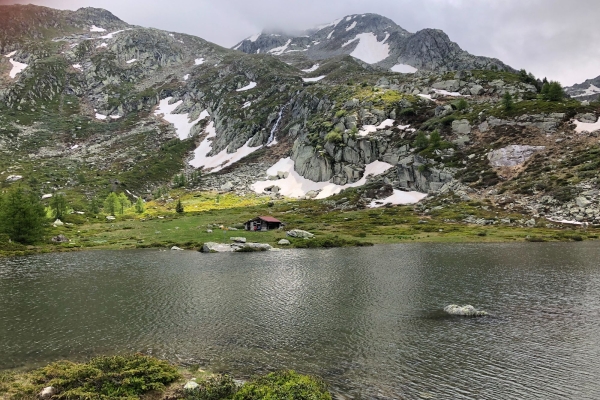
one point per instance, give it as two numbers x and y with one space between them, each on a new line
286 385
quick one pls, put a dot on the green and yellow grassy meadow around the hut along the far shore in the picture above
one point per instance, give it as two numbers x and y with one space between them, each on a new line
213 217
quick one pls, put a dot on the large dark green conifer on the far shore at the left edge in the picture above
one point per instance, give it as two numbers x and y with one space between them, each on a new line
22 216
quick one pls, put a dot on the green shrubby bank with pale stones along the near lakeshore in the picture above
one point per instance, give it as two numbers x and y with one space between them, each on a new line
143 377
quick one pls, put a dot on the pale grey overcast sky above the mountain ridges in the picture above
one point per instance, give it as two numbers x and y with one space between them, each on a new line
558 39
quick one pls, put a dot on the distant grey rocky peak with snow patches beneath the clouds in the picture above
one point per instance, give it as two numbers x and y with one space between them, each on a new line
375 40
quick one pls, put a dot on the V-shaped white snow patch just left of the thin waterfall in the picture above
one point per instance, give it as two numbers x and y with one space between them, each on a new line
221 160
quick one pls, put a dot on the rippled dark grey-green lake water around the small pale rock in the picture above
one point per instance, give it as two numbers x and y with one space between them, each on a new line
368 320
